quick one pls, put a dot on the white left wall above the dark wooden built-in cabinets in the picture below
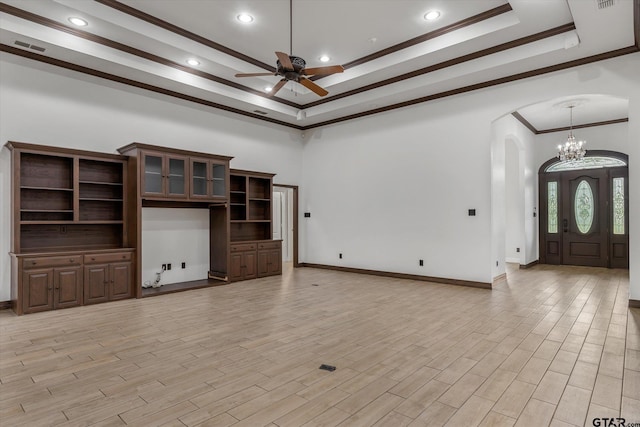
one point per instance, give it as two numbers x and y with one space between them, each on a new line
44 105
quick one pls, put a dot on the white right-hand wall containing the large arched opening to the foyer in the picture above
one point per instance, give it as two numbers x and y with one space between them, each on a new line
391 189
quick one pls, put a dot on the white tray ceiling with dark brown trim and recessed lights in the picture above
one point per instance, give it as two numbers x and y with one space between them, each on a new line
483 40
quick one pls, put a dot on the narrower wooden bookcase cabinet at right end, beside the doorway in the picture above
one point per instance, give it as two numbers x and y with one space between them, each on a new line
253 253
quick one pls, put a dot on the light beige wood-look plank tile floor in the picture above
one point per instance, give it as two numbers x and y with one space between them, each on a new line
549 346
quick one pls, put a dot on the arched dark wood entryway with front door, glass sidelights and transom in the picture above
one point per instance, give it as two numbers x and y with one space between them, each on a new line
584 211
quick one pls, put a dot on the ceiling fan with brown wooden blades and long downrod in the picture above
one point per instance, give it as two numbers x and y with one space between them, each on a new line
293 68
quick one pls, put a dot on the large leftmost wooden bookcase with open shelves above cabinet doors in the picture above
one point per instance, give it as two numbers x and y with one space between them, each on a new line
68 206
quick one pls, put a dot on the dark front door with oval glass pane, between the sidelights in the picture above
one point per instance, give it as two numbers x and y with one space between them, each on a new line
585 218
